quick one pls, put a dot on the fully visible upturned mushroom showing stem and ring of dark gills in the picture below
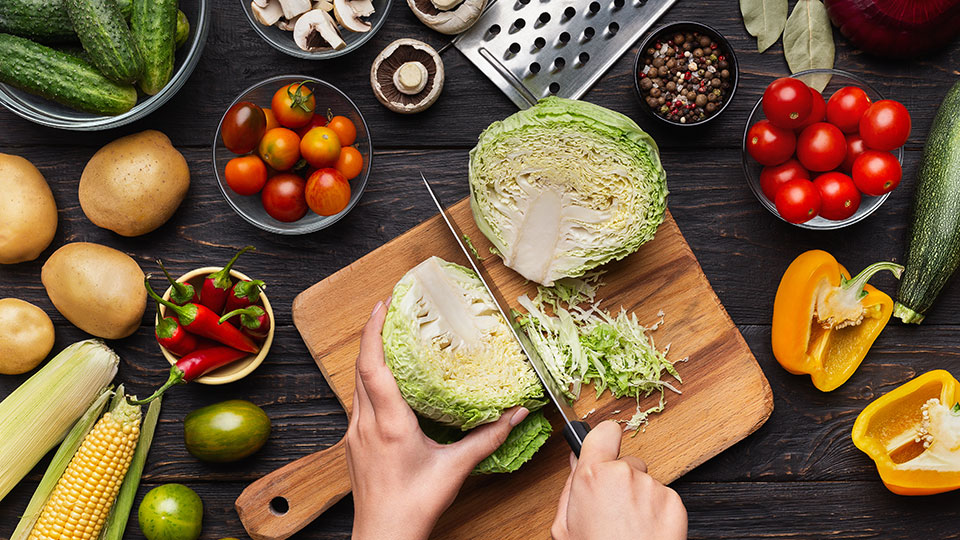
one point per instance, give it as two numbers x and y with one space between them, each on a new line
407 76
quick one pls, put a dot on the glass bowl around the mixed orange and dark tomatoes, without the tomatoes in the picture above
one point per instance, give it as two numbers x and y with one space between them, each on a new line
327 96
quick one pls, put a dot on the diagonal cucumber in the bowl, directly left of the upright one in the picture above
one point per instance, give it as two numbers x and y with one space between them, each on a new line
106 38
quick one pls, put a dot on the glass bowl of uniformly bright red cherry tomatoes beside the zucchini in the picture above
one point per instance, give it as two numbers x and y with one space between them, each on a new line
824 160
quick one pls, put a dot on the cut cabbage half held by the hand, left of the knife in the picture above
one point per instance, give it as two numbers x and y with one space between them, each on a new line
453 355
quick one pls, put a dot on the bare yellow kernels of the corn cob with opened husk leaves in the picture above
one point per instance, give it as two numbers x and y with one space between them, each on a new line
79 505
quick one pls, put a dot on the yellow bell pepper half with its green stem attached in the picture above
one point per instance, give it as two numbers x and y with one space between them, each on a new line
824 321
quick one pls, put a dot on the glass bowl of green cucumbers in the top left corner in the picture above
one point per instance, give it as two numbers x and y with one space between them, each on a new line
59 84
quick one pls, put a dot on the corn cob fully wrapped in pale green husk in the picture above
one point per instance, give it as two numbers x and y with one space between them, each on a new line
38 414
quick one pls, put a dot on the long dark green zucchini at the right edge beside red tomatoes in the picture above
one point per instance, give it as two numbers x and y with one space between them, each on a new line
934 242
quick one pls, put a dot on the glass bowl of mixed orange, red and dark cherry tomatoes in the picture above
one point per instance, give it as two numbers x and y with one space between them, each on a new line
292 154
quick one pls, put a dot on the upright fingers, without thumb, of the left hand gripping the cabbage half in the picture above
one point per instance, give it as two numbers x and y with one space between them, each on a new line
375 382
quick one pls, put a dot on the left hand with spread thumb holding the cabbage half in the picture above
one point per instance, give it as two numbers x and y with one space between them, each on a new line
402 480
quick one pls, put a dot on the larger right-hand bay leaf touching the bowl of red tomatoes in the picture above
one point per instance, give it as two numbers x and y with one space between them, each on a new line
808 41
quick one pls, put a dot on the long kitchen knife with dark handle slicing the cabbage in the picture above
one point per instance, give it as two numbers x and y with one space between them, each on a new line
574 431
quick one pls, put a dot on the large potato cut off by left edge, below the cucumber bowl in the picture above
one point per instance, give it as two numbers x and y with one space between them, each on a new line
28 209
